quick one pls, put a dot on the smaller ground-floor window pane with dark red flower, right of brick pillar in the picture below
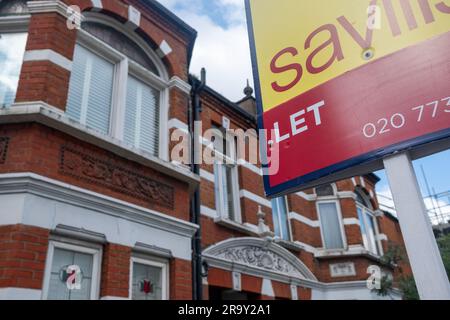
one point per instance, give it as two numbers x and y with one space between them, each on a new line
147 282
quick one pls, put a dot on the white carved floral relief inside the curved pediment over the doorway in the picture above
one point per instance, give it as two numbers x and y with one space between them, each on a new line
258 257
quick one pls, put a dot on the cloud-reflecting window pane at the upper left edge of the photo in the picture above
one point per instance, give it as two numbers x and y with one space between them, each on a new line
12 48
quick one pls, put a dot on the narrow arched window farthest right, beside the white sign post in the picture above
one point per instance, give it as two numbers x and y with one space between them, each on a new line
367 221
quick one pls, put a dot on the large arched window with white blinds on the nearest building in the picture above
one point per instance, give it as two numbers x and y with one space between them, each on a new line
118 85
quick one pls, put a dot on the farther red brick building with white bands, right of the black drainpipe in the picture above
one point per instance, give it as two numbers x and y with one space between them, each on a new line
317 244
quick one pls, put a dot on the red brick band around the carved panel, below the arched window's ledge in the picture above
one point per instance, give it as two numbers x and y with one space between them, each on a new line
38 149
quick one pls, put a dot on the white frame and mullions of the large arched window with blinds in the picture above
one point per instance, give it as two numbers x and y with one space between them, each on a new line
123 68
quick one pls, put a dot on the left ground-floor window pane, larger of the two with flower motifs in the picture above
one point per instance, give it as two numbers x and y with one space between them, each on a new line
62 259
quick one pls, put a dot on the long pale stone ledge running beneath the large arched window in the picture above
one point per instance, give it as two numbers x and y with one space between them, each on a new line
50 116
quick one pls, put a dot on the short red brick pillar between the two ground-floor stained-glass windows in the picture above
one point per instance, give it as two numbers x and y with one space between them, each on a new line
115 271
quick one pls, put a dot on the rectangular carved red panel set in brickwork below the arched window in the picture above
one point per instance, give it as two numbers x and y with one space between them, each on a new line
105 172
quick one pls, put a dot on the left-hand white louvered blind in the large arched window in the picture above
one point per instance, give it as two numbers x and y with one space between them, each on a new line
90 91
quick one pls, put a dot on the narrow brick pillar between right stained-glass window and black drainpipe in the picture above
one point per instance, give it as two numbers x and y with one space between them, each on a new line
180 279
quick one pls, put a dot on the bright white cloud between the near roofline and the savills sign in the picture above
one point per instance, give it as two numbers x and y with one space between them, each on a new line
223 51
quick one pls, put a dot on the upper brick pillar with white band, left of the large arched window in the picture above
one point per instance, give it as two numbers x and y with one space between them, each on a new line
45 80
